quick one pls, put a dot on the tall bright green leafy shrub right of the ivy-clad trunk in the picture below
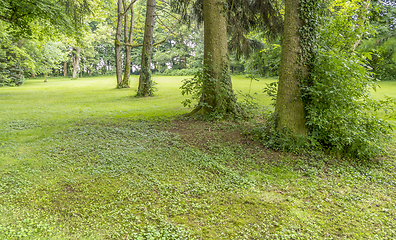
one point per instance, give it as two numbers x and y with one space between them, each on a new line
340 113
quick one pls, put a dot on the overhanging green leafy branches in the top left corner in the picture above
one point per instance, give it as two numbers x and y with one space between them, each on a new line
44 18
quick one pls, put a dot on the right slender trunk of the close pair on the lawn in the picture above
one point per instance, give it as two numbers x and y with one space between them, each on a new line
128 39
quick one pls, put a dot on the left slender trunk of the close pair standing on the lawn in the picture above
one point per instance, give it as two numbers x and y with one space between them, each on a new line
118 45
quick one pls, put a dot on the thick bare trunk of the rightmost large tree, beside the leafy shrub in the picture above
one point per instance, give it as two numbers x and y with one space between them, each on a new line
289 104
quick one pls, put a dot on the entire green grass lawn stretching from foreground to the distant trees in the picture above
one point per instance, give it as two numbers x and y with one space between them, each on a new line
80 159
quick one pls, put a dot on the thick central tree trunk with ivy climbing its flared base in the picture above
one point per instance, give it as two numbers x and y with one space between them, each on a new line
217 94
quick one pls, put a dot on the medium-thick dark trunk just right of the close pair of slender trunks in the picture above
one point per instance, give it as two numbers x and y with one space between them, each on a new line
145 81
